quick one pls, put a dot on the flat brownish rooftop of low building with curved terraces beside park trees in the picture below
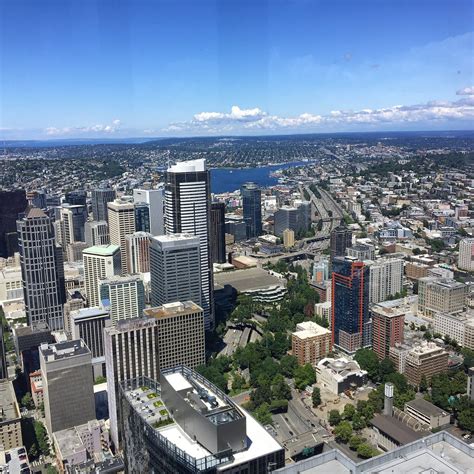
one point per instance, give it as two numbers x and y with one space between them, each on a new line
247 279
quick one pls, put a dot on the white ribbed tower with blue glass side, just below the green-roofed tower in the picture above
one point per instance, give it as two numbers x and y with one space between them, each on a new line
122 296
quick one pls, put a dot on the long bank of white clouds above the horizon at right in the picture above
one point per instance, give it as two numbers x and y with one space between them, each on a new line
245 120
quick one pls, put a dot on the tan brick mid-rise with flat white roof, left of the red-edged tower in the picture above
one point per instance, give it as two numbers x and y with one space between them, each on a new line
310 343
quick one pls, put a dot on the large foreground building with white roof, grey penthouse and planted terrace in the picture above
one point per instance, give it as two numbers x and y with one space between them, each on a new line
182 423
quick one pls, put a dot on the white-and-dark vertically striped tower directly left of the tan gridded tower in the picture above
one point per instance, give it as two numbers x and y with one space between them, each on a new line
131 351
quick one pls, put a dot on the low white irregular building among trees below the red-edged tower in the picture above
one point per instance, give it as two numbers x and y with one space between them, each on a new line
338 375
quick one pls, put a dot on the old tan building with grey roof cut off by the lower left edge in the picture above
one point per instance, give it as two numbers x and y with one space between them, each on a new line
10 417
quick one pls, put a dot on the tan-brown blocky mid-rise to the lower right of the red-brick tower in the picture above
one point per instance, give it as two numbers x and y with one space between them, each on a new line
425 360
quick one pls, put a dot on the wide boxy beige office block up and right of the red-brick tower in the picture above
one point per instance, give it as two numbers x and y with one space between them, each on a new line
440 295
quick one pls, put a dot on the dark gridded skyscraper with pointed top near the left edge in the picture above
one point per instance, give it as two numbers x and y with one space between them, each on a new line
42 270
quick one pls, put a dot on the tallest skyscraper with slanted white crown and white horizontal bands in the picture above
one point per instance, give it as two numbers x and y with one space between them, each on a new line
187 205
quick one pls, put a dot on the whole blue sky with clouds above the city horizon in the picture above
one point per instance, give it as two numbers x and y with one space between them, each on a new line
133 68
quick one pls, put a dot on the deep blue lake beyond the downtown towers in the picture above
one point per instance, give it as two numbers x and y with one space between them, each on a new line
230 179
